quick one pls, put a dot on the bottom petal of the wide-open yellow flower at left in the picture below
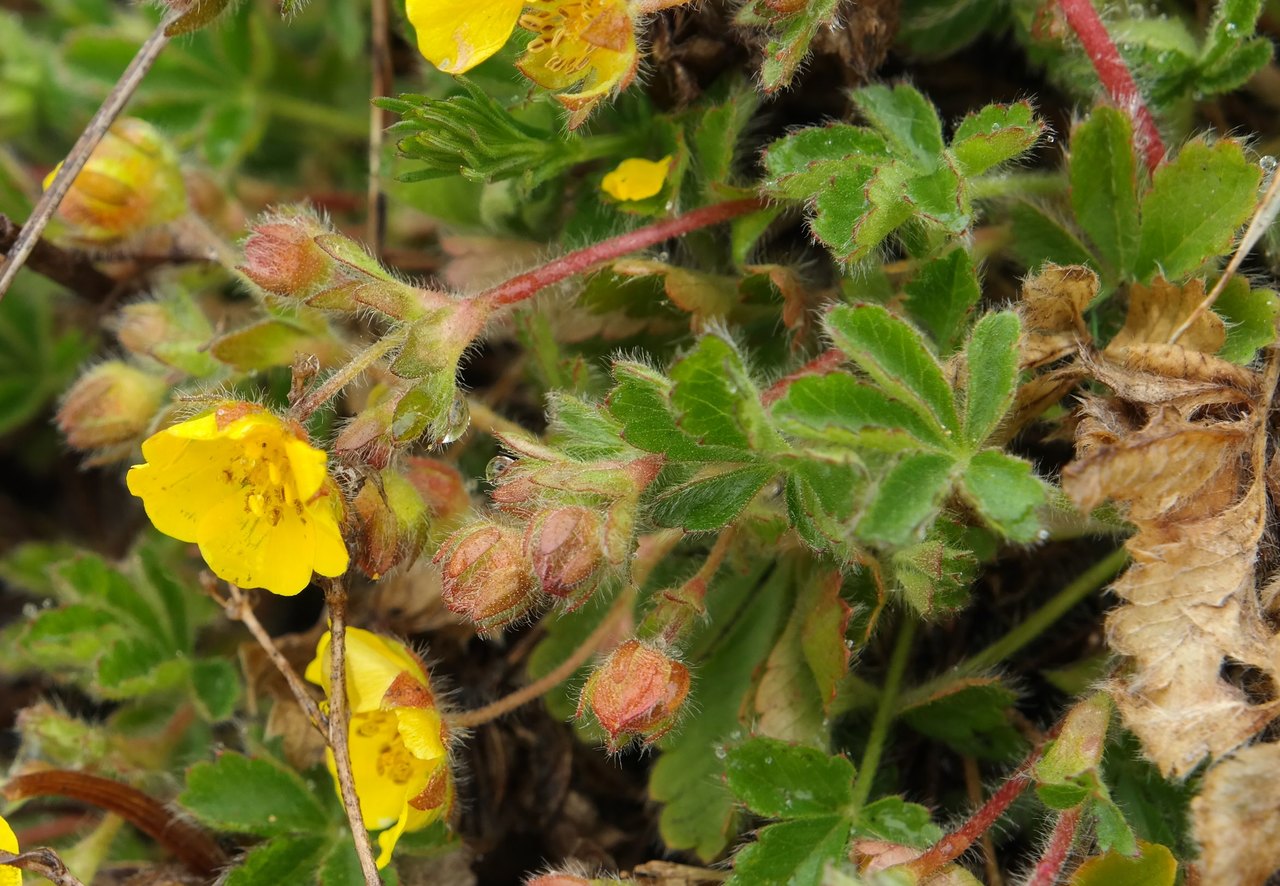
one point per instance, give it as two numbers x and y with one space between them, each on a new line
246 550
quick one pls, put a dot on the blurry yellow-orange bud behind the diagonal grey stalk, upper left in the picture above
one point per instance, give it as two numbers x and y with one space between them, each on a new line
130 184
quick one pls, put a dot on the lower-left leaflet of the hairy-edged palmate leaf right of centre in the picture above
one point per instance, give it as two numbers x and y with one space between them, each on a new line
908 499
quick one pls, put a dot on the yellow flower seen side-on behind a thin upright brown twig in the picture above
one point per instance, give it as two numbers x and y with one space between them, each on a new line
397 742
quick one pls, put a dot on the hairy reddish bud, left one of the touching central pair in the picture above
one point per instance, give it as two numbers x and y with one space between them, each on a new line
487 577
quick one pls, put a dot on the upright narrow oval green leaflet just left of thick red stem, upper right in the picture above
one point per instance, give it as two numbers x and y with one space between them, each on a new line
1105 186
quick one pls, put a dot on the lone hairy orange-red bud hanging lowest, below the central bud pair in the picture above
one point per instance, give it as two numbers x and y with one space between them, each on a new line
637 693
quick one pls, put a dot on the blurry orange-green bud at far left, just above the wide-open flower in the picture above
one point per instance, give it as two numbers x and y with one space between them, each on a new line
111 405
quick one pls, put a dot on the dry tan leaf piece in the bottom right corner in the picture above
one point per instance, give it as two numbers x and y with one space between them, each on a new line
1237 819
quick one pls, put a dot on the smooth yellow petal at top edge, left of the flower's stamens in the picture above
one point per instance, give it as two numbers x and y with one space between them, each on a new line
458 35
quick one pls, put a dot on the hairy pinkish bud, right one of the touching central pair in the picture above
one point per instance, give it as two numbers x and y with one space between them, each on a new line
564 546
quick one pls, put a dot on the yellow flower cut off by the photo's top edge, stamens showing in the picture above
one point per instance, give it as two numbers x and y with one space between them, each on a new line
583 45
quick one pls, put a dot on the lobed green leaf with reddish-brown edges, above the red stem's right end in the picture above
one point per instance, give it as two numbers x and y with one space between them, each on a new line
863 184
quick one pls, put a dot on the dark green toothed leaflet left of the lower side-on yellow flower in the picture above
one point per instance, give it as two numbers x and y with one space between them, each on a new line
253 796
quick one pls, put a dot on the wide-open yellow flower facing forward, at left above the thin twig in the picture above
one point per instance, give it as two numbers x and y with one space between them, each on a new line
252 492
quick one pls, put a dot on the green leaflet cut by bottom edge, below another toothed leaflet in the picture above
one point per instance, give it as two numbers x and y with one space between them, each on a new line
794 853
